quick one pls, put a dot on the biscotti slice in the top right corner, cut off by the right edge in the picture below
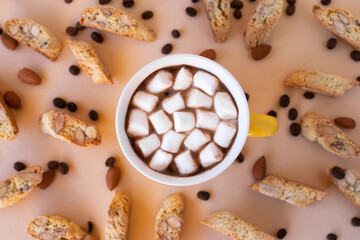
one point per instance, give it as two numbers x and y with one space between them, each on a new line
340 22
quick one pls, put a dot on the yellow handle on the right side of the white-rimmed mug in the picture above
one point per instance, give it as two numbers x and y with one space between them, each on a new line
262 125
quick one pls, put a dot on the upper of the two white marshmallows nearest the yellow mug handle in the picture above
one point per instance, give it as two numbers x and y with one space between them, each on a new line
224 106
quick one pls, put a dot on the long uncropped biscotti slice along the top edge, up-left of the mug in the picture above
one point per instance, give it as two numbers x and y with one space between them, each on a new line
110 19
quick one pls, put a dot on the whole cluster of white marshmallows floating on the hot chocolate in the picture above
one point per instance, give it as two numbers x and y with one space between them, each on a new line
193 94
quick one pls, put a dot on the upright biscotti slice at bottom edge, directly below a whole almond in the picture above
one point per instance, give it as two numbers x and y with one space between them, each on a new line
118 217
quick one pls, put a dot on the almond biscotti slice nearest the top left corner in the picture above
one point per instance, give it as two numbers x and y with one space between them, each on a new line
35 36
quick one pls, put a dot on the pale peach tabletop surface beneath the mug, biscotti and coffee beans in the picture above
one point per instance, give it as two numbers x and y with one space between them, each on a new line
298 43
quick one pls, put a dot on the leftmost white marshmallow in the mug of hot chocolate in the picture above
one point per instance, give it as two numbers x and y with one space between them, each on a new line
138 123
